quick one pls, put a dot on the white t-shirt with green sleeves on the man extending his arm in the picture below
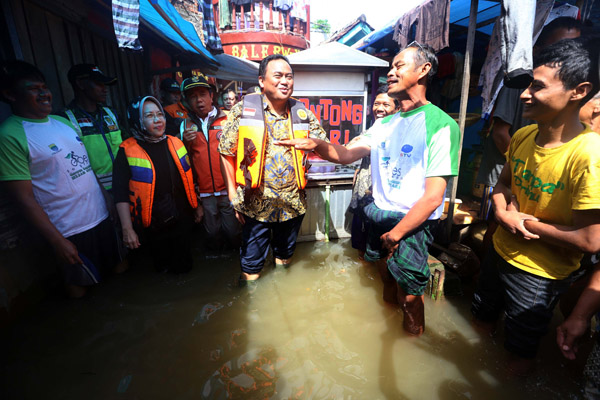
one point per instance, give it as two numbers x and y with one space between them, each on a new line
407 148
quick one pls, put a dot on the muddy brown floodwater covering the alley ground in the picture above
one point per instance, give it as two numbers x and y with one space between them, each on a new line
318 330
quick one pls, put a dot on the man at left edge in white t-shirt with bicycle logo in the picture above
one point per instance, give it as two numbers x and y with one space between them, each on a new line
46 168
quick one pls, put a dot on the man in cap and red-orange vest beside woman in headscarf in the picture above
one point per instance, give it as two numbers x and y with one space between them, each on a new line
201 130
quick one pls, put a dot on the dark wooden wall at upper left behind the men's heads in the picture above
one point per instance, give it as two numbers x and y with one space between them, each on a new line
54 43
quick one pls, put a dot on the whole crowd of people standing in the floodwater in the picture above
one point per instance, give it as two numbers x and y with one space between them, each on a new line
96 193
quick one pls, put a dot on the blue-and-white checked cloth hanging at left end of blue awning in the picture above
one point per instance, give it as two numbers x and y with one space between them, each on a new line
126 21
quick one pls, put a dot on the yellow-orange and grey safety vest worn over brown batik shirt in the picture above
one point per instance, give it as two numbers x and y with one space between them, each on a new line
252 141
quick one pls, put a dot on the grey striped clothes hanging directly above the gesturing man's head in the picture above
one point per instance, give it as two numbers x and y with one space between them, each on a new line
428 23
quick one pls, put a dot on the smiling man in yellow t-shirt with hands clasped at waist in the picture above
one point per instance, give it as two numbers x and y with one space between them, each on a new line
547 201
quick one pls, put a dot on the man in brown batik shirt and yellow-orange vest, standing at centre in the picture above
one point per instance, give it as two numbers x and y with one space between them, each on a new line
265 181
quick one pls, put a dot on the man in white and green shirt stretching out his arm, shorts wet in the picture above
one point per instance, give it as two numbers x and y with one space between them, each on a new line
413 153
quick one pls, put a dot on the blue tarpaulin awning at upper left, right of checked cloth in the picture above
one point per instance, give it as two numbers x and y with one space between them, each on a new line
163 19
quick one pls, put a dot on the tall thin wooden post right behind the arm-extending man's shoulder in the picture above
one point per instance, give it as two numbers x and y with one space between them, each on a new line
464 98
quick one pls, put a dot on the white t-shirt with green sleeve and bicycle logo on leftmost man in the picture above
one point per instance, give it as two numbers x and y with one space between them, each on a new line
49 153
